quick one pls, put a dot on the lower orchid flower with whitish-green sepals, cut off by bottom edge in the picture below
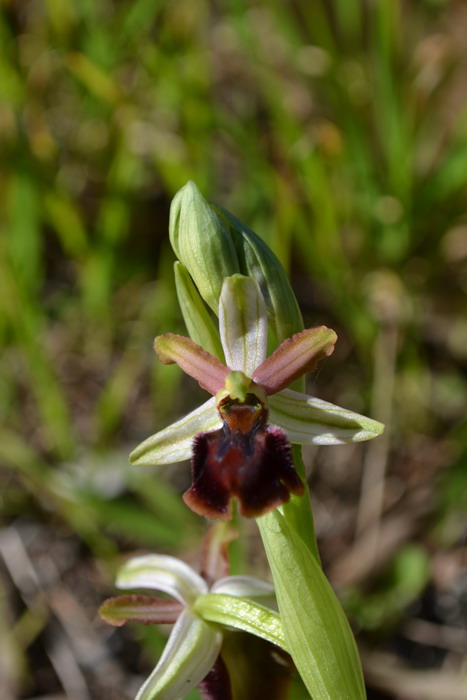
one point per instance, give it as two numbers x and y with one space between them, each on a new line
199 615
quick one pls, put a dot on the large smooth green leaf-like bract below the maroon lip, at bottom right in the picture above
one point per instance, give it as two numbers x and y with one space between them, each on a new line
316 631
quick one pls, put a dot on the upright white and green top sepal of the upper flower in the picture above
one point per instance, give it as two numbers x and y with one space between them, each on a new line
243 323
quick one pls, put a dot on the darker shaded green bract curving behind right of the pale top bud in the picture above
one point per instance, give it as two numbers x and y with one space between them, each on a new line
257 260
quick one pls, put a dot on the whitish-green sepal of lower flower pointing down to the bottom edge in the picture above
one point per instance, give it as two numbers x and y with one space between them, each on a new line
189 655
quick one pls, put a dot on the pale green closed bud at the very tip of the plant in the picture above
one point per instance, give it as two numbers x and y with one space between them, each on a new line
202 242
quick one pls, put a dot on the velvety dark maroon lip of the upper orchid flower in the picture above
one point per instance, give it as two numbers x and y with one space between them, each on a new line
256 467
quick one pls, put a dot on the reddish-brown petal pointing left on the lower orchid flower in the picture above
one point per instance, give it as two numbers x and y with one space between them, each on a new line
140 608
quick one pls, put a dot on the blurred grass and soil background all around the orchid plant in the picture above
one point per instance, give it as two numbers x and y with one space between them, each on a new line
337 131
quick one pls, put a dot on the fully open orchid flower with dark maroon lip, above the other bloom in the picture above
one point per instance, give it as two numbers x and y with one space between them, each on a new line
239 440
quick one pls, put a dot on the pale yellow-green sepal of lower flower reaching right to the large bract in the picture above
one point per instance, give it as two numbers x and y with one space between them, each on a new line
242 614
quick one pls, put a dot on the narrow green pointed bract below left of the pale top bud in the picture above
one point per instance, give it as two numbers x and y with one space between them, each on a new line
197 319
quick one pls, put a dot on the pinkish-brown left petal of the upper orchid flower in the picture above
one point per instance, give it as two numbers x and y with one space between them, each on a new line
208 371
